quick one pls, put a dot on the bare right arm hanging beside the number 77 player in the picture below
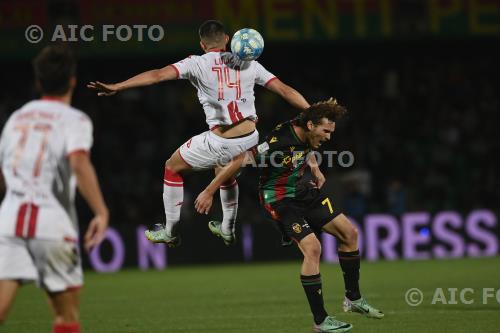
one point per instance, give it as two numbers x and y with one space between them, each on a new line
88 185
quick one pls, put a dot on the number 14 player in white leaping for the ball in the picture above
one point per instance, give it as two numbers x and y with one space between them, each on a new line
226 92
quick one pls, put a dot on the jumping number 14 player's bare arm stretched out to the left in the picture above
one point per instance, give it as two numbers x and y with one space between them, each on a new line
140 80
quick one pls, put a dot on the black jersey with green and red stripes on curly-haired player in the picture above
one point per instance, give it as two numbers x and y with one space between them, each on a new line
282 160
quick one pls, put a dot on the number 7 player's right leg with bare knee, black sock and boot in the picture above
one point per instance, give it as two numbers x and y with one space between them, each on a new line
349 259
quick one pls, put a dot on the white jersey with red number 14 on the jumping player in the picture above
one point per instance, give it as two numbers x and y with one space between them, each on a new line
225 92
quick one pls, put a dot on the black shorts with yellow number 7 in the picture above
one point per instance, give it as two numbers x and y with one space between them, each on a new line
307 213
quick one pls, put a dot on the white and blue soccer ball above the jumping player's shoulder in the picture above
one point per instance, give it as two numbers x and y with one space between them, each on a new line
247 44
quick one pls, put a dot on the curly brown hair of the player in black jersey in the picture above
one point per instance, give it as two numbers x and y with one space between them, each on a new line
329 109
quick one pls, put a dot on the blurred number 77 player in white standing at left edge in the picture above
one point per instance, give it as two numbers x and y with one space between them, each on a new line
44 154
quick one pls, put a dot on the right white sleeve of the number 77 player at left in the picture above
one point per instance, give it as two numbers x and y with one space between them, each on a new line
79 134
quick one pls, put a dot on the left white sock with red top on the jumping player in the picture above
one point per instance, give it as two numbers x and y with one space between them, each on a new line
173 194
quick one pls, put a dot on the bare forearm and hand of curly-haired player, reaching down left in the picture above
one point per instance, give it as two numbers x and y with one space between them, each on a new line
203 202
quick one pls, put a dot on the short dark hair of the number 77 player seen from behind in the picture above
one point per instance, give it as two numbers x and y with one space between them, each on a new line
54 66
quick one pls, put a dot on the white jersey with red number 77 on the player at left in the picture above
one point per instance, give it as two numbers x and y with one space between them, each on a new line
35 144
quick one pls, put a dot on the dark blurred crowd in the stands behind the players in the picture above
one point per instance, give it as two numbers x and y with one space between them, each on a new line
422 126
